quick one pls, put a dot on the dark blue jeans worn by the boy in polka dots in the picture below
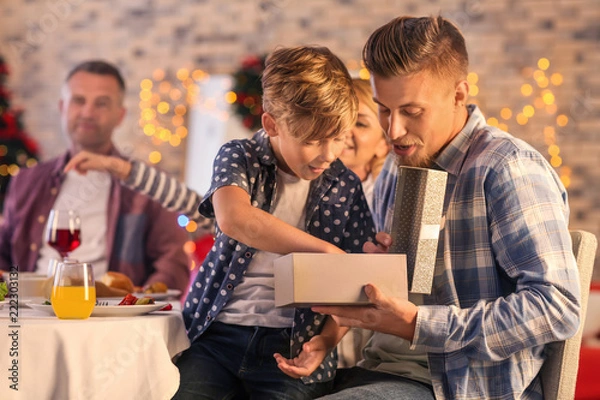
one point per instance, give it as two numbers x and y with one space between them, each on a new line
236 362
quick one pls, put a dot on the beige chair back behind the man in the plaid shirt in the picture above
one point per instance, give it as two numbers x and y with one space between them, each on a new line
559 372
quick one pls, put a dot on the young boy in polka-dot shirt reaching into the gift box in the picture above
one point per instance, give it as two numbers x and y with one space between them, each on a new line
281 191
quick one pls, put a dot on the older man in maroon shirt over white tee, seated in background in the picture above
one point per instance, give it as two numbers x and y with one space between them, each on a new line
121 230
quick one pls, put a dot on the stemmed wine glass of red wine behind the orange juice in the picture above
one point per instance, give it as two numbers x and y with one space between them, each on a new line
63 231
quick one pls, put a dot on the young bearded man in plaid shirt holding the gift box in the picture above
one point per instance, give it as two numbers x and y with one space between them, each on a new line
506 283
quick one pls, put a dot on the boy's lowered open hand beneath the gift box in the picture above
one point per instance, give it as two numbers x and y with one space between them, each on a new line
312 355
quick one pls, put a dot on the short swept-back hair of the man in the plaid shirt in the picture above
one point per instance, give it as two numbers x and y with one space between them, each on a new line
408 45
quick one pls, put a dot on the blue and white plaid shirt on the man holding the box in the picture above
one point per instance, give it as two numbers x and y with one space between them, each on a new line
506 282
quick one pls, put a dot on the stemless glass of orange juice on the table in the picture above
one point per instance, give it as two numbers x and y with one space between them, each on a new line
73 291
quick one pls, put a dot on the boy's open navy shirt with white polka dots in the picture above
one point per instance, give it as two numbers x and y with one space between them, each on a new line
336 212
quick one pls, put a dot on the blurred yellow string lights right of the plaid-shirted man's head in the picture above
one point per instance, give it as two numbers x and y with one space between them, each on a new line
541 100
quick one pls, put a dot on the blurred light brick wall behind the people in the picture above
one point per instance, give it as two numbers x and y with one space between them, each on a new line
42 39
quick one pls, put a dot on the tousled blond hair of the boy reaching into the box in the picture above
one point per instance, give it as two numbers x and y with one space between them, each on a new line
310 89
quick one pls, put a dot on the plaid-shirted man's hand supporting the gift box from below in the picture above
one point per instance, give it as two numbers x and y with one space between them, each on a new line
386 314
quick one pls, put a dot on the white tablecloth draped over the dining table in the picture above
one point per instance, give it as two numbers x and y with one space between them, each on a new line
97 358
